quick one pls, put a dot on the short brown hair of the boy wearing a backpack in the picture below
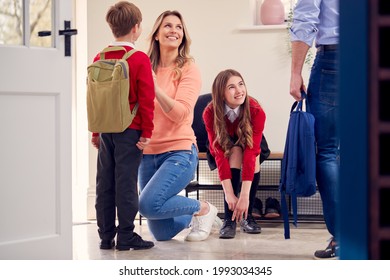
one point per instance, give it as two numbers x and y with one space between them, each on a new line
122 17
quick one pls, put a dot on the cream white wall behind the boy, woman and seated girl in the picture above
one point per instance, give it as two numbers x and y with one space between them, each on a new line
218 43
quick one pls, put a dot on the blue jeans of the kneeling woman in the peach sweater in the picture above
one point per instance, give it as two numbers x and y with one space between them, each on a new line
161 178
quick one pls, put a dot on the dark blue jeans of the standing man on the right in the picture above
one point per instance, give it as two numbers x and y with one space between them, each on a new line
323 102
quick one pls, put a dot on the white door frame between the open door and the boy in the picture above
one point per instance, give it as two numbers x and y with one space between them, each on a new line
84 154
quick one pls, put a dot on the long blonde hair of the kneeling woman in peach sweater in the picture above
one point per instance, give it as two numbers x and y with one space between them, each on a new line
184 48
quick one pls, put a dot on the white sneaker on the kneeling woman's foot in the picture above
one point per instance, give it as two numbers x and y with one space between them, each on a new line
201 225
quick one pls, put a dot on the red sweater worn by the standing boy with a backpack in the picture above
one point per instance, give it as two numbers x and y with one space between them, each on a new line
141 89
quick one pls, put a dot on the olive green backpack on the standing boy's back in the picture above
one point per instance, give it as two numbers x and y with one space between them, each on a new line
108 85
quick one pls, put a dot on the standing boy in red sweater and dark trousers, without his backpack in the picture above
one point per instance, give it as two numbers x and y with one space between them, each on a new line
120 154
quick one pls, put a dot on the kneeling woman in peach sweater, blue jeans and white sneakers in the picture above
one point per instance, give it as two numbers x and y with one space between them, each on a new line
170 159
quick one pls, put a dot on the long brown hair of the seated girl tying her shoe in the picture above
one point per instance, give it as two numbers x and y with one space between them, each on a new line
244 130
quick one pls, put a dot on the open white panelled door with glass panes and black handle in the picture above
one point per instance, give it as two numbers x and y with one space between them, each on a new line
35 137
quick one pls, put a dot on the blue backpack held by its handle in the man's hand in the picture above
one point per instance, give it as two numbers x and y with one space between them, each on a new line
298 173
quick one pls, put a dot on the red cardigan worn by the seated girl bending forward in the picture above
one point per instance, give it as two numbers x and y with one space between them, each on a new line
248 164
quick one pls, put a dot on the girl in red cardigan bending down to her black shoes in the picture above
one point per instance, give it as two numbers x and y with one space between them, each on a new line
235 122
